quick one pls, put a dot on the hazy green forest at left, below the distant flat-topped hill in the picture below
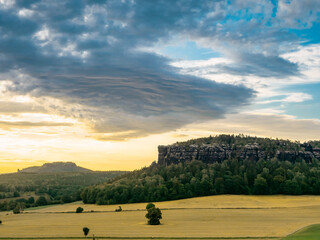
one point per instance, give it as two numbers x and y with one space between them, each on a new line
36 189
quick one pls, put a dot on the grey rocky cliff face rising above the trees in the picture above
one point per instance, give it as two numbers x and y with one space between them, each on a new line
173 154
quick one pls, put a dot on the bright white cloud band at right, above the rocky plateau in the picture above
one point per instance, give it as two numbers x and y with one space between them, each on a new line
306 57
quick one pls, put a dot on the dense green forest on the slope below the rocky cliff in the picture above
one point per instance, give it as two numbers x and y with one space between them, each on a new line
195 178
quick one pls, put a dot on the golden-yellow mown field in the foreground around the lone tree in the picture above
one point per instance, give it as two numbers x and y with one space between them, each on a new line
224 216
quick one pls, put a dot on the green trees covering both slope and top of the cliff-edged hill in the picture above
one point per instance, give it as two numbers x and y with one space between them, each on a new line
233 175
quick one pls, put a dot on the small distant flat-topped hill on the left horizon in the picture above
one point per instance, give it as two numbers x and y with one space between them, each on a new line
55 167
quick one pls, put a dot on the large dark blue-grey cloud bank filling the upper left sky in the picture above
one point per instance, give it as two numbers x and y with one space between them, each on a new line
85 53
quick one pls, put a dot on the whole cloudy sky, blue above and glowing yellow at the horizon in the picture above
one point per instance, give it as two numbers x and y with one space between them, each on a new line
103 83
